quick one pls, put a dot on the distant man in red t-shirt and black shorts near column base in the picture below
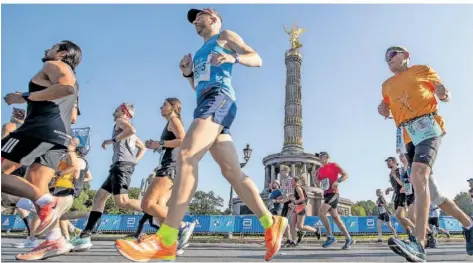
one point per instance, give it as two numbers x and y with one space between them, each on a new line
328 177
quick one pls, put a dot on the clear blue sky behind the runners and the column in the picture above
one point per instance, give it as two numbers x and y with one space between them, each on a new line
131 53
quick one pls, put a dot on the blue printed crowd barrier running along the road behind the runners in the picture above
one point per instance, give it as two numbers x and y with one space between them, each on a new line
244 225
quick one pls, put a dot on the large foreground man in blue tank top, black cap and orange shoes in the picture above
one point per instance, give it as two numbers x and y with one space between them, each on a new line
209 74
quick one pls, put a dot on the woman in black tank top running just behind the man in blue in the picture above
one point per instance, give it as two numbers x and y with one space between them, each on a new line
159 191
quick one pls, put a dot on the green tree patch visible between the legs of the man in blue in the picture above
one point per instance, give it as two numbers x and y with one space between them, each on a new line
206 204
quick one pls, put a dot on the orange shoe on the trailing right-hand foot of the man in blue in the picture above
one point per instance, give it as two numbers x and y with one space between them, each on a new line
273 237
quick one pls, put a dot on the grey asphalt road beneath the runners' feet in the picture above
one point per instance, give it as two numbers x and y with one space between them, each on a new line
104 251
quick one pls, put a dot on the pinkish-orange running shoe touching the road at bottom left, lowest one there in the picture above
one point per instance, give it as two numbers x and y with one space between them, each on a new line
47 249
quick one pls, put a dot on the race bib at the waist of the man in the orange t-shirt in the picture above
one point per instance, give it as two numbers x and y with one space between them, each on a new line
423 128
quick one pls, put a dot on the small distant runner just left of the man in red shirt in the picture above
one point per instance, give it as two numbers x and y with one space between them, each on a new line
298 204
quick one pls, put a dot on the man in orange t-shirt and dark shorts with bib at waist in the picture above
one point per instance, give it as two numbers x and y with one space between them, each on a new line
410 95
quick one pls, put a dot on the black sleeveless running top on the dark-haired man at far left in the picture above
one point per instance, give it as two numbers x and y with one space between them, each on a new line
49 121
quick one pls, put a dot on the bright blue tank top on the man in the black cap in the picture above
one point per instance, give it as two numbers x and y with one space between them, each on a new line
207 75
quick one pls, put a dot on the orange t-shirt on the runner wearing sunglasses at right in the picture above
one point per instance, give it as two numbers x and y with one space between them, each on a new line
411 94
